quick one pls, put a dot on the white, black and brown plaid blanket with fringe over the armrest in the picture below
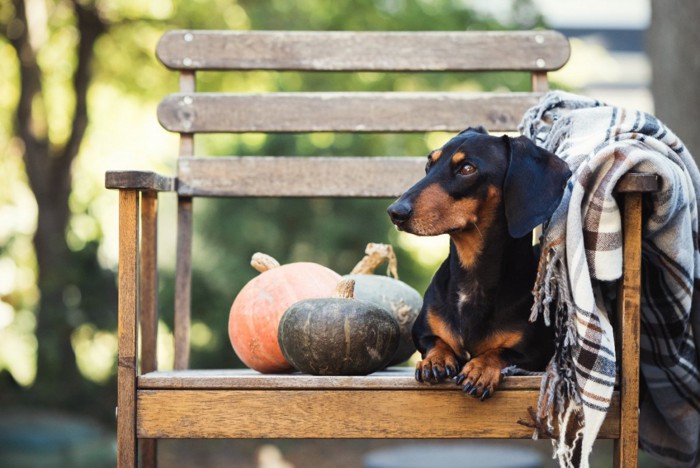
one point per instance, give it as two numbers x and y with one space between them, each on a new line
582 256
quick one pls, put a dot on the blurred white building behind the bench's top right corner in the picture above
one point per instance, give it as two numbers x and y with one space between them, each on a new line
608 59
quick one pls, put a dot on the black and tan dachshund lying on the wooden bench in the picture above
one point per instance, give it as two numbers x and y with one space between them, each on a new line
487 193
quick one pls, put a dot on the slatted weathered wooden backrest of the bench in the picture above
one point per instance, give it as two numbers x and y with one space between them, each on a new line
189 112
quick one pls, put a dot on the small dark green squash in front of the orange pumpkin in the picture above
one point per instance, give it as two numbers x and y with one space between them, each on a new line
338 335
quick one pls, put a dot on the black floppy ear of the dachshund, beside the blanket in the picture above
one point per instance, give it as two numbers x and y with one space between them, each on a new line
533 186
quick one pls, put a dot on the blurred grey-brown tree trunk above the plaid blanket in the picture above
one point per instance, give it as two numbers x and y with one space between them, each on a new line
672 43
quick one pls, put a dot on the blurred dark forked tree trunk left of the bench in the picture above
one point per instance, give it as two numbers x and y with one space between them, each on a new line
48 169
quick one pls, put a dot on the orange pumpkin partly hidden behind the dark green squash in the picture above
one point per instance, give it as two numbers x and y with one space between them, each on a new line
256 312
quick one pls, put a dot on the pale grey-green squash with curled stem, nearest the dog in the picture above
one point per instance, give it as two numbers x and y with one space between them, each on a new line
397 297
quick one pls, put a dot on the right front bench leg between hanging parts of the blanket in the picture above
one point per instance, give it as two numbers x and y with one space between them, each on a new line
626 447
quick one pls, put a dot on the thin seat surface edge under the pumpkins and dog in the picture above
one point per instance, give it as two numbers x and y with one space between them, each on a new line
396 378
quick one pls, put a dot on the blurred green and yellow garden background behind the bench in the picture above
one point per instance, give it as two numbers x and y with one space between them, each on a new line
79 86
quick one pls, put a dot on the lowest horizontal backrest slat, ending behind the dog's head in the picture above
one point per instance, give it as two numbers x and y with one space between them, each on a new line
267 176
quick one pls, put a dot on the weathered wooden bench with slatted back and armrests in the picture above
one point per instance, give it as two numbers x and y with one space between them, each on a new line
229 403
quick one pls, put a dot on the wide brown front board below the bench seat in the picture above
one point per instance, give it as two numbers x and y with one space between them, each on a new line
336 413
